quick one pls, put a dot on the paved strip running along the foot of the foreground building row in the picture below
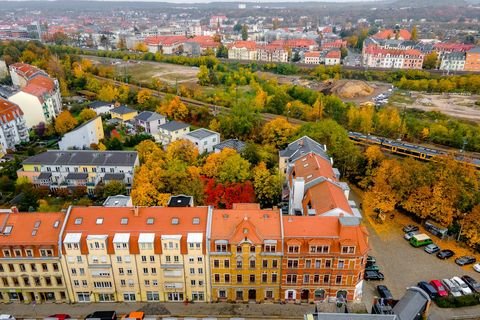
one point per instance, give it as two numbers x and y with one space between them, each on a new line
178 310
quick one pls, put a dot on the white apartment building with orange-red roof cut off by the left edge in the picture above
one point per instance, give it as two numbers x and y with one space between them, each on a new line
13 129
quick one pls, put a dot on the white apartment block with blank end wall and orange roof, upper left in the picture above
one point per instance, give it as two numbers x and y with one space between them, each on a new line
38 96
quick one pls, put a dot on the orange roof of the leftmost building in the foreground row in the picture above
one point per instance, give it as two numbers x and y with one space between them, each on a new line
23 223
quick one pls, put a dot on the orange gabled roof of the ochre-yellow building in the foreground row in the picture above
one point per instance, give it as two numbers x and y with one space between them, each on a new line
245 221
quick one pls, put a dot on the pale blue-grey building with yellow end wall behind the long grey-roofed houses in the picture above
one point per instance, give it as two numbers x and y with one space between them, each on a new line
91 132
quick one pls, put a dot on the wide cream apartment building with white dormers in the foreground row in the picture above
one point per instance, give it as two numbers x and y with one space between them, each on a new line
136 254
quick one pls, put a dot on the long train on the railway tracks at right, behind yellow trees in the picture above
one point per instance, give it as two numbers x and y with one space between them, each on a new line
409 149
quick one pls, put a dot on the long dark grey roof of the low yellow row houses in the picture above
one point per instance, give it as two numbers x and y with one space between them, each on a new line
84 157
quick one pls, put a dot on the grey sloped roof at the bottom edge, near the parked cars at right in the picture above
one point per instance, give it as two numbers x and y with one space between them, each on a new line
412 303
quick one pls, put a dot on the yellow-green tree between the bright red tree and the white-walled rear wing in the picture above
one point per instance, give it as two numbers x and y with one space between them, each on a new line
268 185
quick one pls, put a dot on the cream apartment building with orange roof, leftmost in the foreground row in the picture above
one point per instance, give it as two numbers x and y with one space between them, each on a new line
30 259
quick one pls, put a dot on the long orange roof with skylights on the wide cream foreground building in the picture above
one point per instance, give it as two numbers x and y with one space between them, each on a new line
137 223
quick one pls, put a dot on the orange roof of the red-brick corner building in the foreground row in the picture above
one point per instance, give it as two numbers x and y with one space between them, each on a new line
341 230
